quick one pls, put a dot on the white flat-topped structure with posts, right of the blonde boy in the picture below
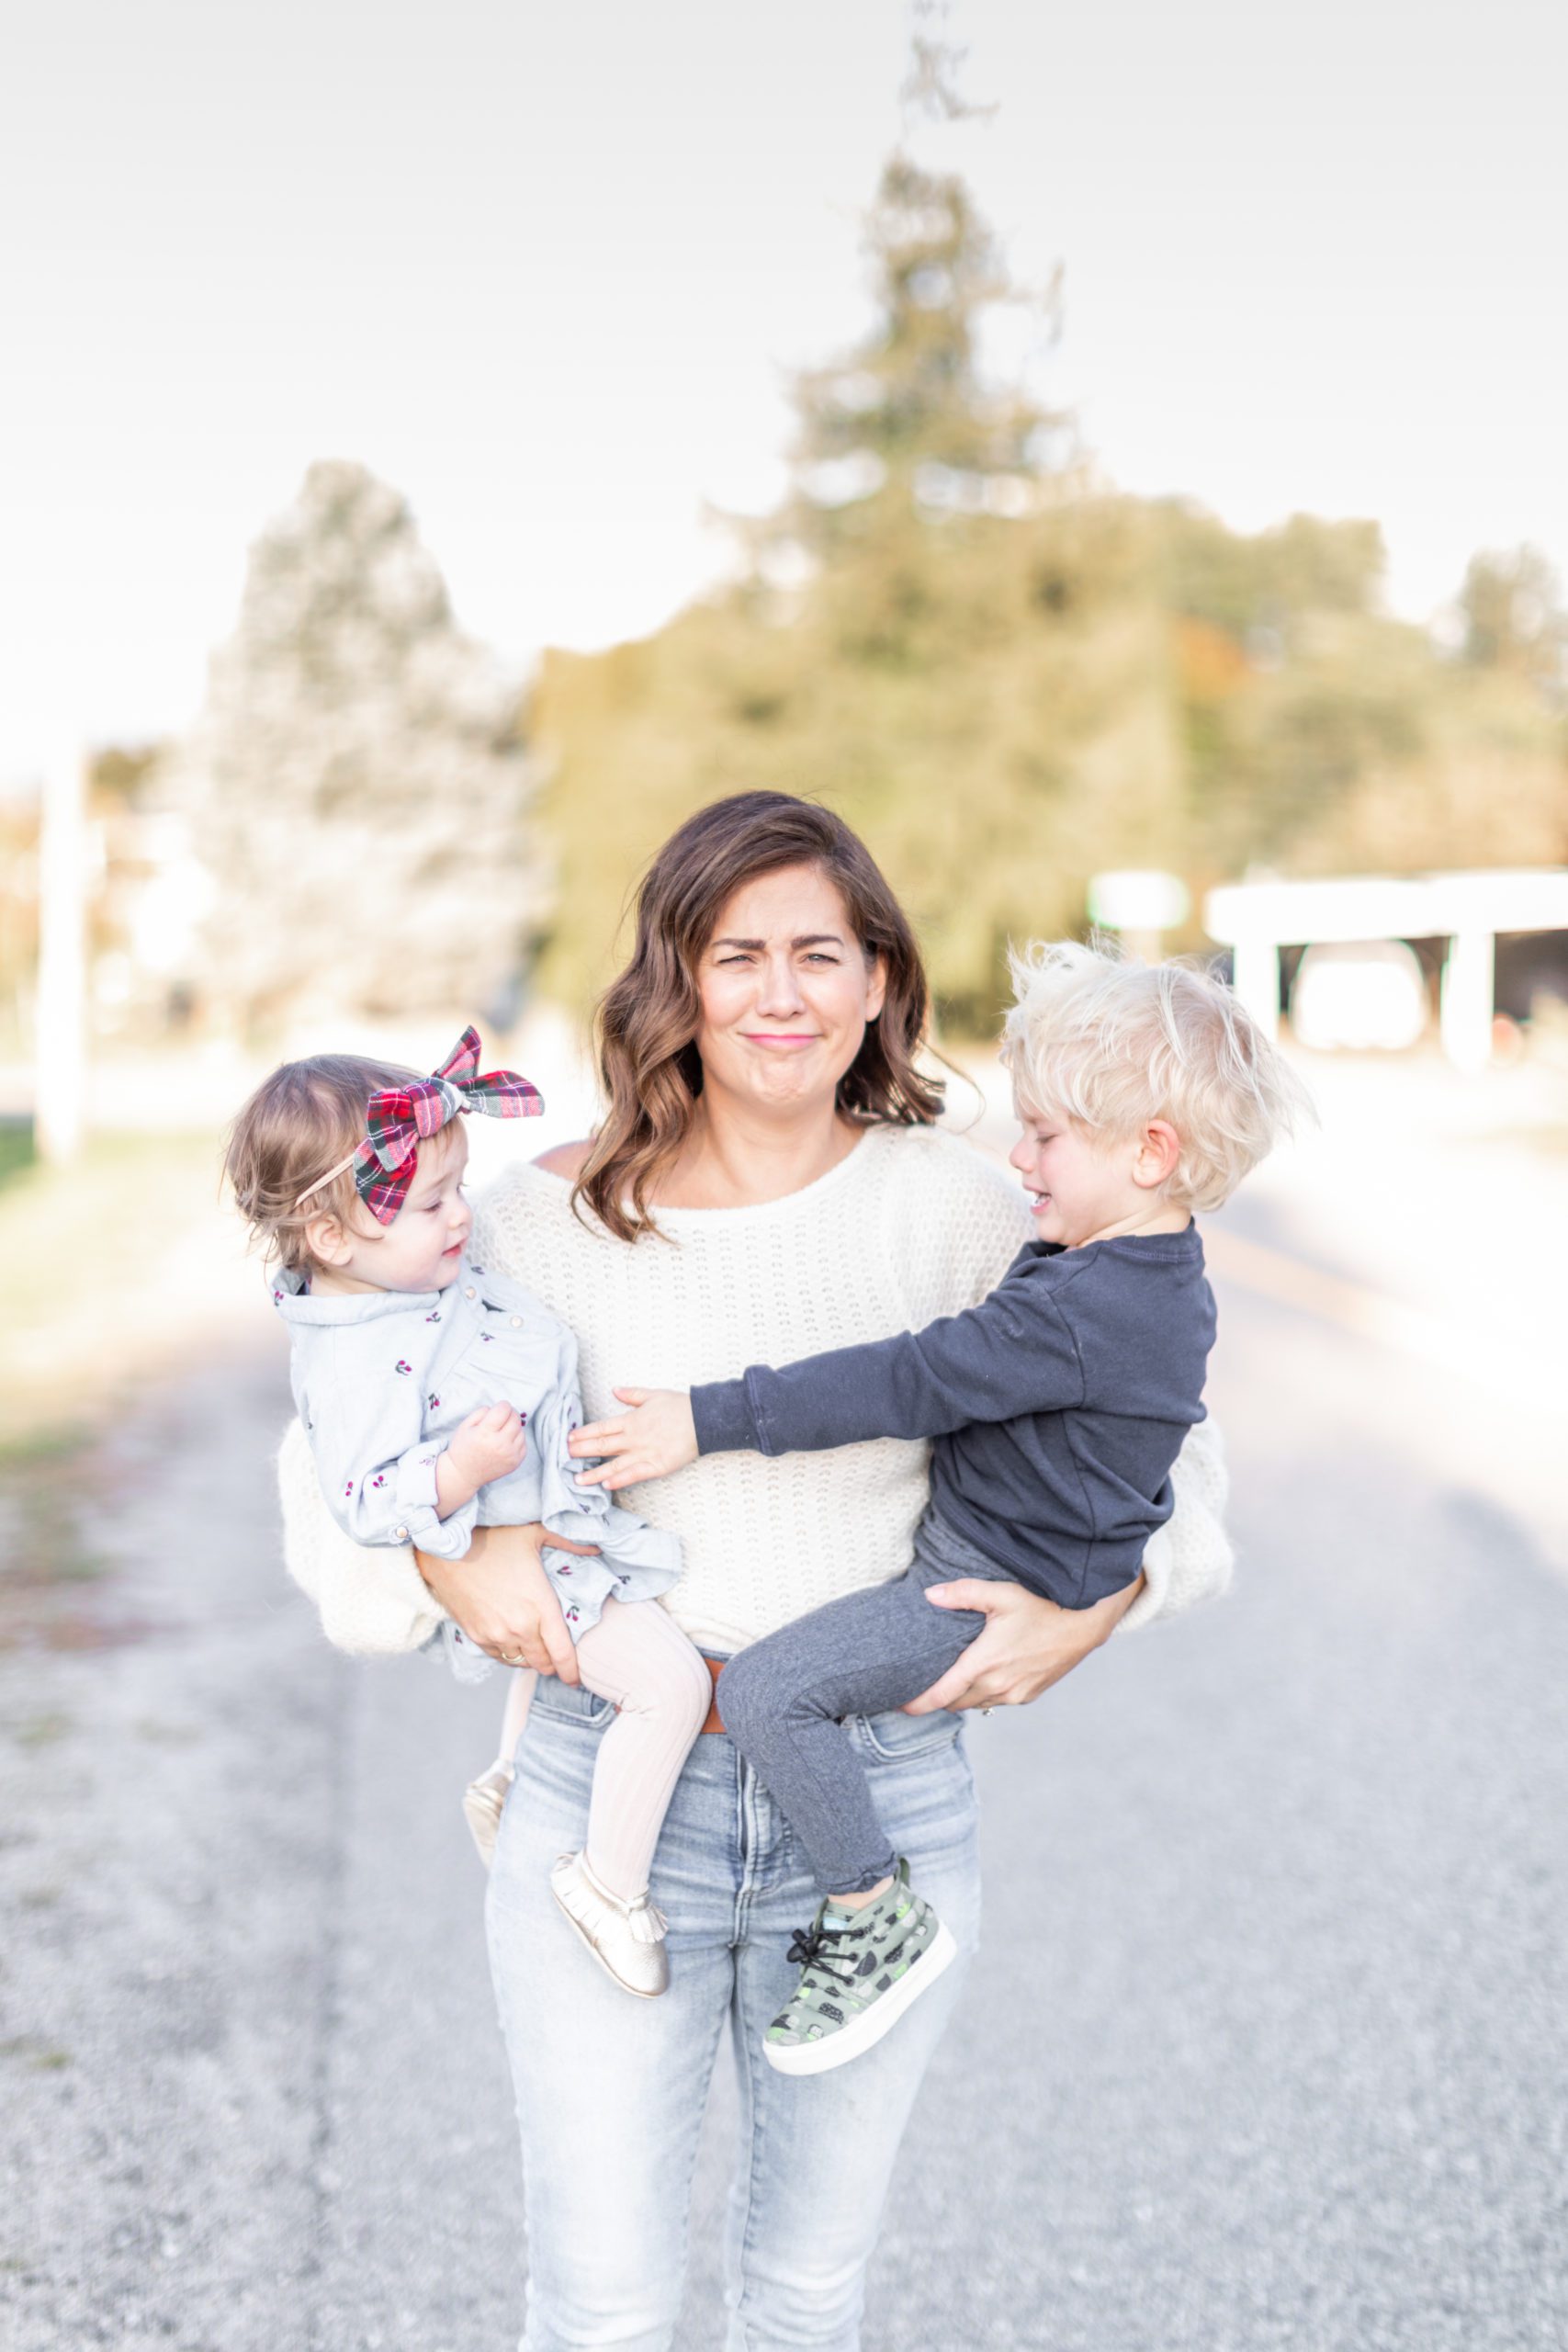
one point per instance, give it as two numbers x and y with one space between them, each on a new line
1374 911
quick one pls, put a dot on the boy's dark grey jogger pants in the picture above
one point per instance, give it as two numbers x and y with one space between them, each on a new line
784 1702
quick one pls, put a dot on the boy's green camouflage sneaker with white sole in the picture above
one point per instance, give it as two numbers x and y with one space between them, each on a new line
859 1975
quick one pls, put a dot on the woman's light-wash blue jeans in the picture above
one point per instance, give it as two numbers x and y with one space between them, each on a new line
612 2090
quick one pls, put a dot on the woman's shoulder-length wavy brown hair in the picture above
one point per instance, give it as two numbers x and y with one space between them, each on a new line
648 1020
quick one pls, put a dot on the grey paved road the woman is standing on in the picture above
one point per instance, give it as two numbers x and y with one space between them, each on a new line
1266 2050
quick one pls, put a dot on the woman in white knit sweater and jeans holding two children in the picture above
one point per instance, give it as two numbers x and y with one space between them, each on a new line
768 1182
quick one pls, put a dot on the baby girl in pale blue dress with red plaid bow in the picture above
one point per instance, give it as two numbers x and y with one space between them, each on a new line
441 1398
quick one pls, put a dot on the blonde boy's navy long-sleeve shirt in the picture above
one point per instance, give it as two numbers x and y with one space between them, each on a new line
1057 1408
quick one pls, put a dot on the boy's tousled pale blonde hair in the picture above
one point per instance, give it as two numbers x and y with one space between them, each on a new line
1111 1045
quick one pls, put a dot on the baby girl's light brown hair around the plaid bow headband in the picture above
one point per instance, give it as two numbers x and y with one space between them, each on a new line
297 1125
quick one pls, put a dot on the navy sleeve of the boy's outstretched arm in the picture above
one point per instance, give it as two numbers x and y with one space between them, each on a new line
1010 1356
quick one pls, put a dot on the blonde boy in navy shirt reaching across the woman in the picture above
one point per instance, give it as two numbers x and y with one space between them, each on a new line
1059 1408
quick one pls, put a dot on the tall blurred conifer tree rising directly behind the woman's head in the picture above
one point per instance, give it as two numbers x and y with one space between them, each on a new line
942 632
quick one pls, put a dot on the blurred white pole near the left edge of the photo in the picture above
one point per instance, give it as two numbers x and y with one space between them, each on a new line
60 1100
